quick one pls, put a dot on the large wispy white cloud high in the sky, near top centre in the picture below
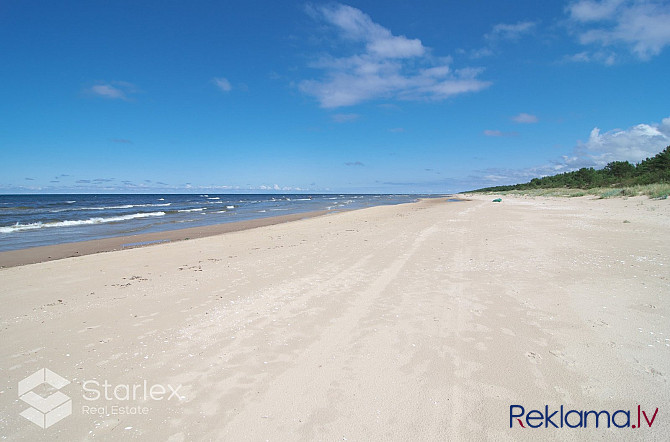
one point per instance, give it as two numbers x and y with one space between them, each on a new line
384 65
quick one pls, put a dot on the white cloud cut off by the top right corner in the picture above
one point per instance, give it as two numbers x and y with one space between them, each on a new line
641 26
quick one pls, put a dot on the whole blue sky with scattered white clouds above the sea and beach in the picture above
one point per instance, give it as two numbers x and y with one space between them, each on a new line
364 96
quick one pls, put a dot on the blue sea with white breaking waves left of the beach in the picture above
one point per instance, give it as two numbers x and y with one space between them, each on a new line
39 220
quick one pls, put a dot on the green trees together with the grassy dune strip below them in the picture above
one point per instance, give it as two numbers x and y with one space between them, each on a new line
649 177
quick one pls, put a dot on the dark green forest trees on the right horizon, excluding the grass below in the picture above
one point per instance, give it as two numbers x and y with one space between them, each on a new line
617 173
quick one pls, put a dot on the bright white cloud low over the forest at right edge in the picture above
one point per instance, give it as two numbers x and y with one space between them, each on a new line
633 144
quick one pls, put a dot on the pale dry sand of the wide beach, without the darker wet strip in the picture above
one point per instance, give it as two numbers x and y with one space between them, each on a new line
421 321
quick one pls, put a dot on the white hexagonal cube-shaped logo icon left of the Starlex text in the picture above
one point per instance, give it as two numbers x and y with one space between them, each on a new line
44 411
